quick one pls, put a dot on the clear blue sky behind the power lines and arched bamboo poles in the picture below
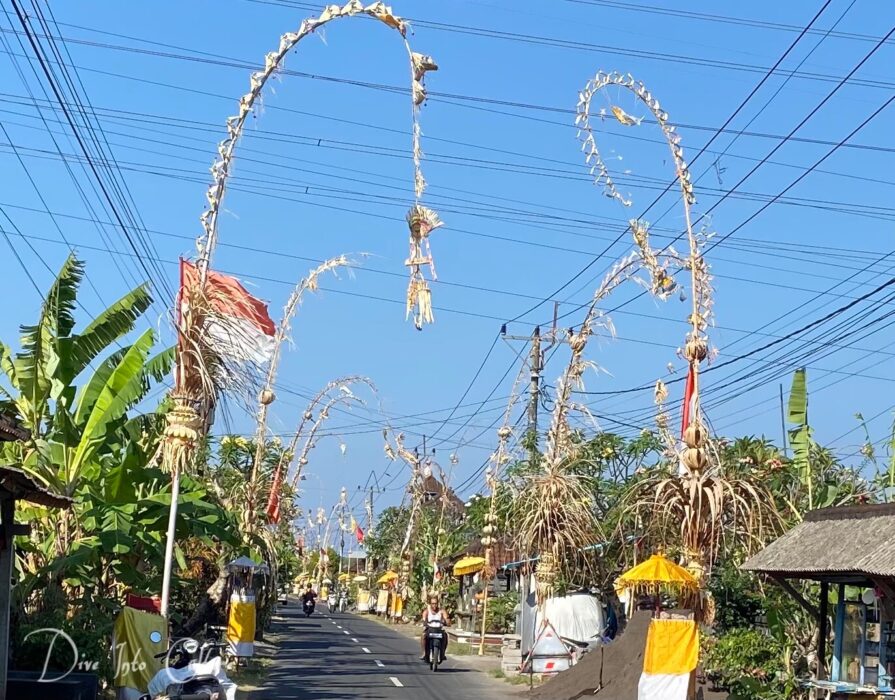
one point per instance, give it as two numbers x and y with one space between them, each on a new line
325 170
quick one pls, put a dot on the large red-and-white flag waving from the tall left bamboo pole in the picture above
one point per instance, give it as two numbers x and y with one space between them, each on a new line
240 328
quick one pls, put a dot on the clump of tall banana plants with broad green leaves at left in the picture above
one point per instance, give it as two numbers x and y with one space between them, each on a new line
78 393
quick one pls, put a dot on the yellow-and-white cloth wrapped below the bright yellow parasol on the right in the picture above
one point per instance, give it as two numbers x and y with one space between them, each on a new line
672 652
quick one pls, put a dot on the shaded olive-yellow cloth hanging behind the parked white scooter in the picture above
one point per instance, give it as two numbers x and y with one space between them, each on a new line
134 648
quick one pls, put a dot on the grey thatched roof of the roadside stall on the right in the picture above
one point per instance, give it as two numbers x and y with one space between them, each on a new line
852 544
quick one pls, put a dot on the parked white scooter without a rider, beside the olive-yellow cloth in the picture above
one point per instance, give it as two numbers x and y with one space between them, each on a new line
192 671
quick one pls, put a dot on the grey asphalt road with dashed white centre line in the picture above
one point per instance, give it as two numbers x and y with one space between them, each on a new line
341 656
